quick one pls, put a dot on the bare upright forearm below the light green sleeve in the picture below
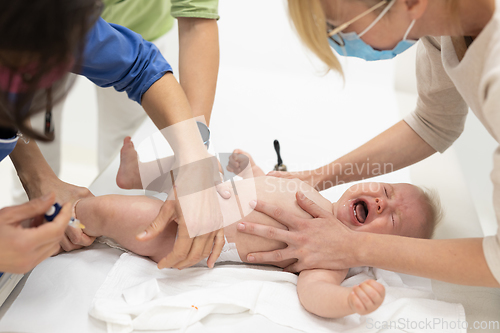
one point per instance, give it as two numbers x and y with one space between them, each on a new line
199 63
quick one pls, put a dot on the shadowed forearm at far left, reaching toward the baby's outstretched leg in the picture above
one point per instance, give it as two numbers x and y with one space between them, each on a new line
31 167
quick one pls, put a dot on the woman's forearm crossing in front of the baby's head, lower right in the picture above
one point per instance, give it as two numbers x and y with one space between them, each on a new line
459 261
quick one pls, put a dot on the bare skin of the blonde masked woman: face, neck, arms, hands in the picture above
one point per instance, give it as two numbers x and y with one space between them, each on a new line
459 261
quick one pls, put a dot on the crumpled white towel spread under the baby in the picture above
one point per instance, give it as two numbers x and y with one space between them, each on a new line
173 299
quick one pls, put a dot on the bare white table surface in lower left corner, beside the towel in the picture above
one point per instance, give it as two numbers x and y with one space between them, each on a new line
58 292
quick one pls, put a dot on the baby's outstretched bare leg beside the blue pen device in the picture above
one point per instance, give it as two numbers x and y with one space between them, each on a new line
122 218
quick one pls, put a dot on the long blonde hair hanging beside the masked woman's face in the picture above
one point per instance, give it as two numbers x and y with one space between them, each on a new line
309 20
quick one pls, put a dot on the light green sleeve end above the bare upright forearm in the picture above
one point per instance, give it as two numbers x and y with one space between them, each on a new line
208 9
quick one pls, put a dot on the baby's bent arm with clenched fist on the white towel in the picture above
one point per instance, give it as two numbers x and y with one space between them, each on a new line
320 293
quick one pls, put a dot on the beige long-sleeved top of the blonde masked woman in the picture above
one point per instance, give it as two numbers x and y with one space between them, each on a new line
447 87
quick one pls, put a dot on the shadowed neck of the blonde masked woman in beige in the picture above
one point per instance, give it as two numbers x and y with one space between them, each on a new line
469 20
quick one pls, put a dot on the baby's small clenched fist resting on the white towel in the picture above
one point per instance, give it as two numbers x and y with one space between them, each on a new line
366 297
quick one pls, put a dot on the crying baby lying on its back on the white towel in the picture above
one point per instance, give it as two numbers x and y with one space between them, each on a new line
390 208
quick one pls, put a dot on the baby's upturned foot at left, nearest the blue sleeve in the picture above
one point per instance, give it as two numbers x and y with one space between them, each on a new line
128 176
